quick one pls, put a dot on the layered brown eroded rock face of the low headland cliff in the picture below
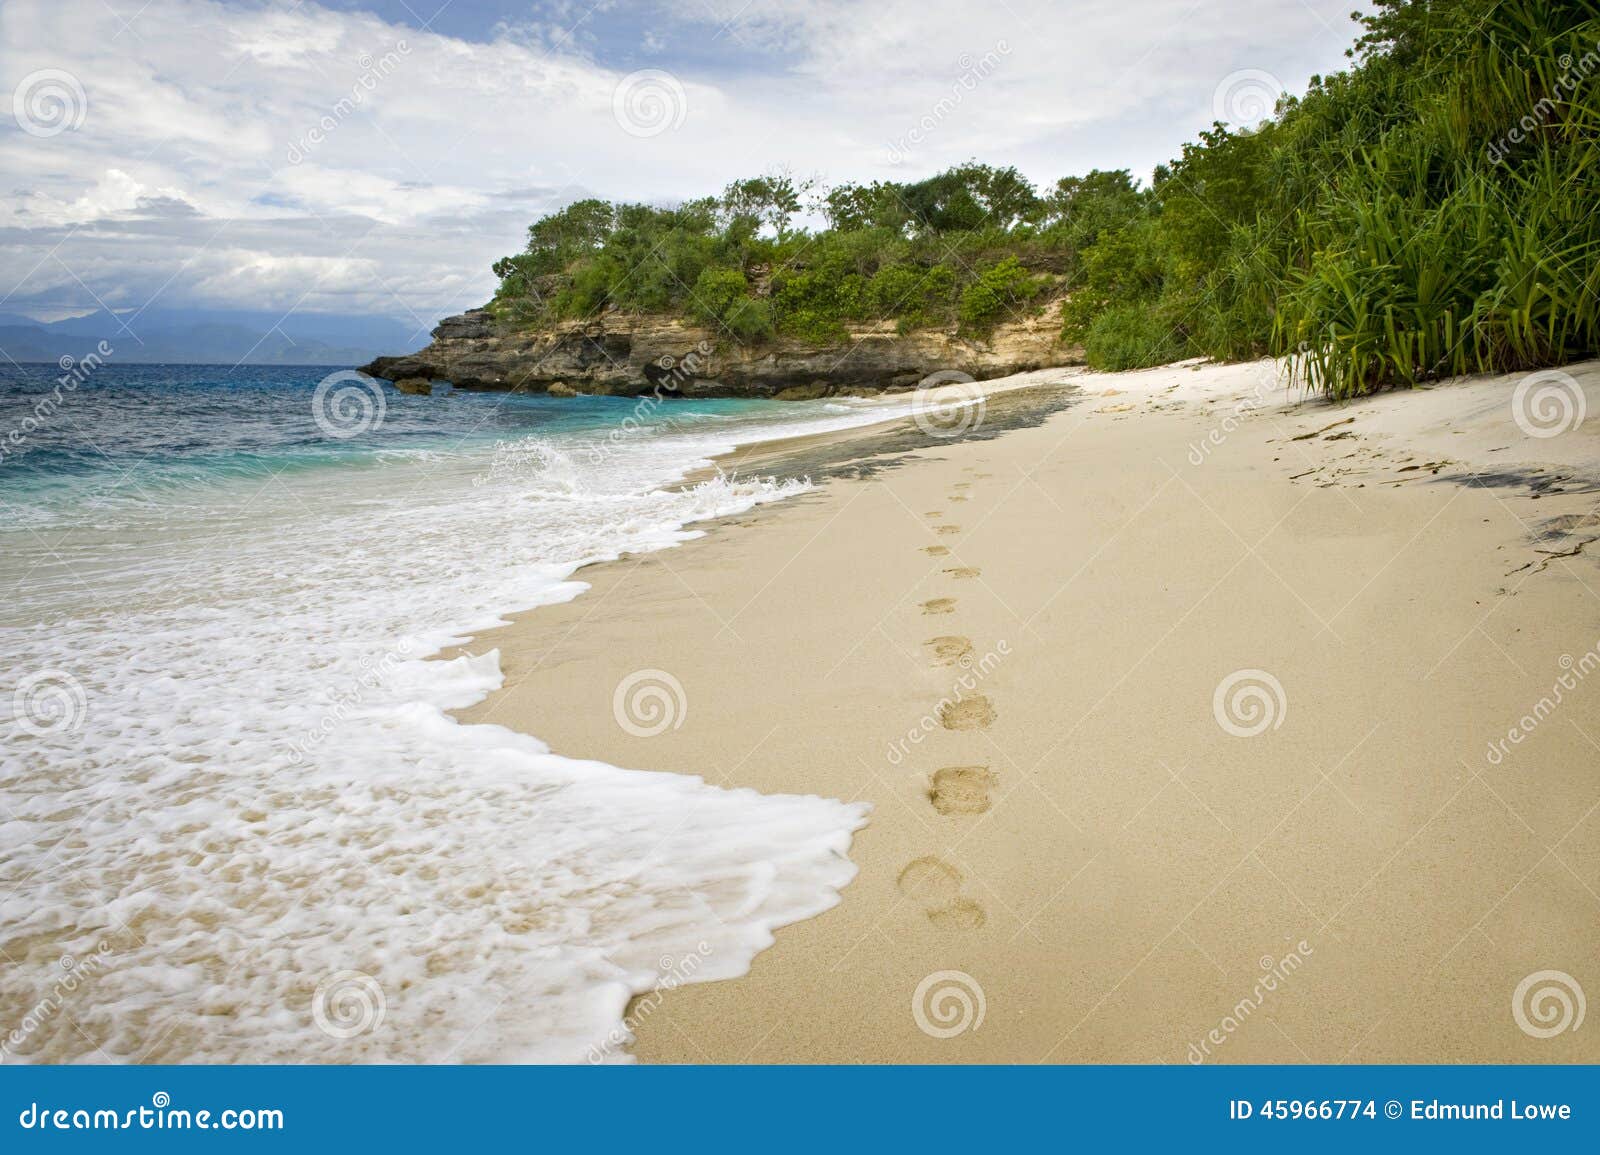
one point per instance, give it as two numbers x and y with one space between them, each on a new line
628 354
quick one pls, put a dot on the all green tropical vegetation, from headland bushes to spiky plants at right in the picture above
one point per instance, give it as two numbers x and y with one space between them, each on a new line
1428 212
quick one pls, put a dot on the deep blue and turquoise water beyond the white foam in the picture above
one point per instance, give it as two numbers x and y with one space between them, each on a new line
199 425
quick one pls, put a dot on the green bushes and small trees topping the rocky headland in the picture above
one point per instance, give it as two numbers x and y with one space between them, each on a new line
916 255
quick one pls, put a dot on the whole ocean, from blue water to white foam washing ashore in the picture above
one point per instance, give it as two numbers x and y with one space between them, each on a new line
238 821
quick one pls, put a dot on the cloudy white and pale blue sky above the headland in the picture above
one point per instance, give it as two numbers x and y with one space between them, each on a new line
374 158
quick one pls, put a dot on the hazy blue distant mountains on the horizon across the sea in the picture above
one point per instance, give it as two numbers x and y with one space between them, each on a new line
210 338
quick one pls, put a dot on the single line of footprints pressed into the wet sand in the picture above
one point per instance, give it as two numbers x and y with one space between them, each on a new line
954 791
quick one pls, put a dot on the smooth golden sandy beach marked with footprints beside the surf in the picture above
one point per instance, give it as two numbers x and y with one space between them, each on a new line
1201 724
